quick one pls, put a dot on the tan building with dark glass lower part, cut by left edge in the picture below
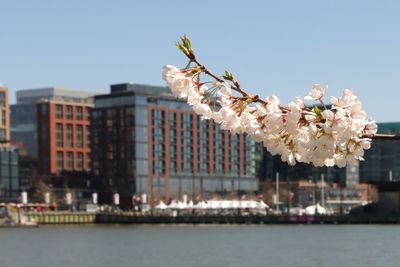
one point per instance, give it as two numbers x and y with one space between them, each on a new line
9 182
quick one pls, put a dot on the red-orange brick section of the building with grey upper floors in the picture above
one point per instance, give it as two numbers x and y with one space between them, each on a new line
63 137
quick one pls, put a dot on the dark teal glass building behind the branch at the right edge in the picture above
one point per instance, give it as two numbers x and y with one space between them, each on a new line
382 160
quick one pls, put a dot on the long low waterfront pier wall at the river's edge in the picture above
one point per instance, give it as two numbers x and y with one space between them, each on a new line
131 218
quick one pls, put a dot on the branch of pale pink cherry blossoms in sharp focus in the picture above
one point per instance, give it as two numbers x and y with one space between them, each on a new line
337 135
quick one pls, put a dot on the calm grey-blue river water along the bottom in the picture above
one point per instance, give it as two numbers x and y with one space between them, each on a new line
208 245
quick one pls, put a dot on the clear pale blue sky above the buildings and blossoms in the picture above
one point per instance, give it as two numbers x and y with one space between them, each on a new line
273 48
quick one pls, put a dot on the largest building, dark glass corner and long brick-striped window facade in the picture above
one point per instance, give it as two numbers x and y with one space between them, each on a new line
145 141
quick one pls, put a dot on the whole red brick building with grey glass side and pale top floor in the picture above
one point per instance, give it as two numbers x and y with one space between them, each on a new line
50 127
